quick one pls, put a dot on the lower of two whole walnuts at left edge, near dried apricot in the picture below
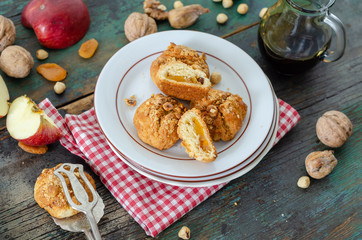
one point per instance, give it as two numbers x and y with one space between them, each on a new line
16 61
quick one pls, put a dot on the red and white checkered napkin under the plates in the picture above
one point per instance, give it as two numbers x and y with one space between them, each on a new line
154 205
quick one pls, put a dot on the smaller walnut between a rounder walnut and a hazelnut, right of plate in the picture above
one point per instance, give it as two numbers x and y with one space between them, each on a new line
321 163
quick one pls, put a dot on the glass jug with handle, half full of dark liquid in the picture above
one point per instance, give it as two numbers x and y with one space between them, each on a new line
294 35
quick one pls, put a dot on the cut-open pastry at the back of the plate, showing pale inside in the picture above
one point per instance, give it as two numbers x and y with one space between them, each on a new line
181 72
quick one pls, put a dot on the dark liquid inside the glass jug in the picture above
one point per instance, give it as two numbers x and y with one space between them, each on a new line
304 50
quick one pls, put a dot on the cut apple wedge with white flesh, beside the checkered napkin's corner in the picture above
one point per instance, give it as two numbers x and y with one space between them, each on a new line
28 124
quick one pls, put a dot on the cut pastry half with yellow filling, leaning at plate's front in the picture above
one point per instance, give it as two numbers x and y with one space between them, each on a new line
196 137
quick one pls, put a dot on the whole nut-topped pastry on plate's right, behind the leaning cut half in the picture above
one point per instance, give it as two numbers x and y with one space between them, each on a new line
223 113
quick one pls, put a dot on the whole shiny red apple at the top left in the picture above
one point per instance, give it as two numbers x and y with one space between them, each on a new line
57 23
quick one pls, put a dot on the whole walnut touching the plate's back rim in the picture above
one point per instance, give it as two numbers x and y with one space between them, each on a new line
138 25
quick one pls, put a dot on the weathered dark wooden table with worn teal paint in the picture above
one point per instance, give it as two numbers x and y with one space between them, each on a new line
263 204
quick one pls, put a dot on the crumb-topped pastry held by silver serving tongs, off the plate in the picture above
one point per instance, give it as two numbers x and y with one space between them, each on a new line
49 193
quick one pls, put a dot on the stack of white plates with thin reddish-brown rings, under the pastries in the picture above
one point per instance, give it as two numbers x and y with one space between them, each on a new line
127 73
